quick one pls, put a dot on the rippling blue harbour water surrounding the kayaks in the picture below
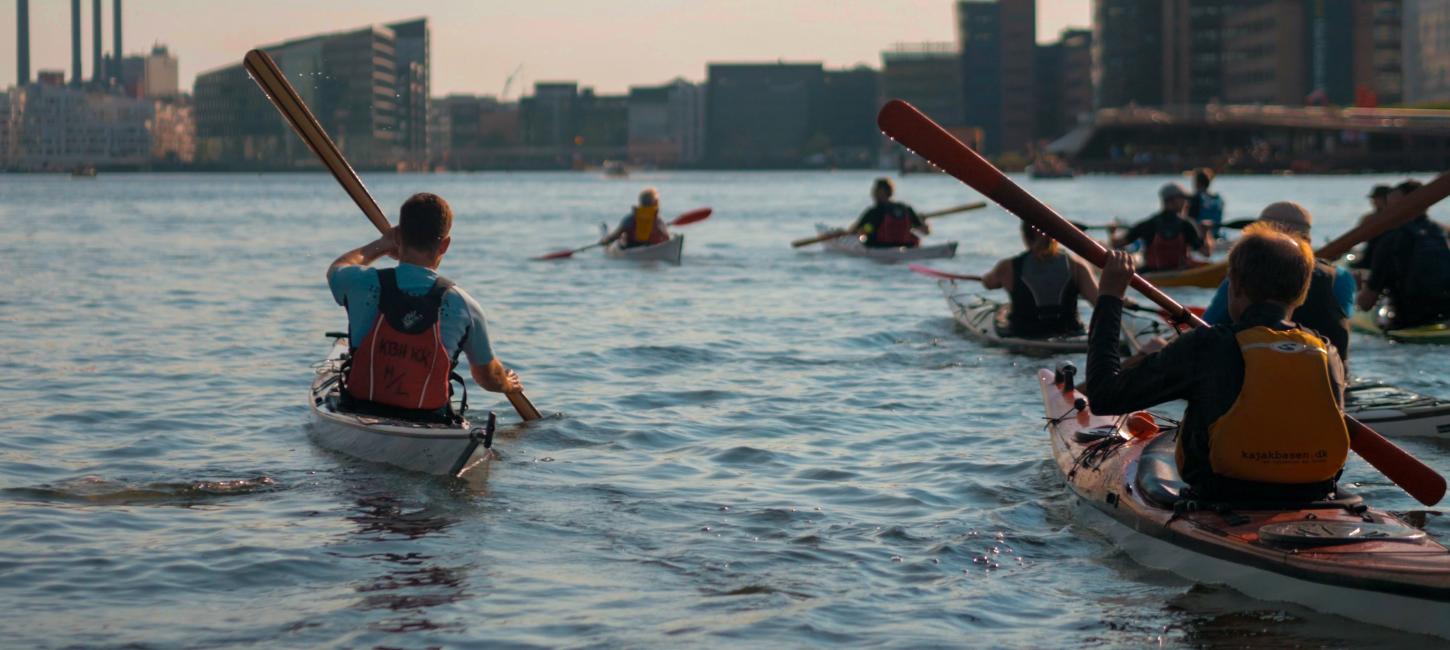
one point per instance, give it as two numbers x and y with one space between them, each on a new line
762 446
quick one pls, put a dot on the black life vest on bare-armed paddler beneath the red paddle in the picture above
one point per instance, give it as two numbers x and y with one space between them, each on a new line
1045 298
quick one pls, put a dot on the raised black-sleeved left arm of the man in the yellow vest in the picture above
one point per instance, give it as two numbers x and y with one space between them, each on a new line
1159 378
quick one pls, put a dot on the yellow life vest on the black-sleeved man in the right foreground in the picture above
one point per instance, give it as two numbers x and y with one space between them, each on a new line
1285 427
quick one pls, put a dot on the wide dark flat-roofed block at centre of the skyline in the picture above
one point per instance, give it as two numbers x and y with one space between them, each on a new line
762 115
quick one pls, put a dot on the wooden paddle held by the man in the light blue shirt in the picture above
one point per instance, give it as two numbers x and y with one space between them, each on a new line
286 99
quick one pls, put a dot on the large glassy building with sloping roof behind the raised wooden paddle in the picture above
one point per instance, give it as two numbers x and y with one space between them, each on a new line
350 81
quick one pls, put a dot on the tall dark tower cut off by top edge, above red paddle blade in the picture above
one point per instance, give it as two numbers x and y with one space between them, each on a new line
998 41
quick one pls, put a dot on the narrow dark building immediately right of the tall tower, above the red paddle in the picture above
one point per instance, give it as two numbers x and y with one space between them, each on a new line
1064 83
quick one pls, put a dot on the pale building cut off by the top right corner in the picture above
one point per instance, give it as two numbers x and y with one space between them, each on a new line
1428 52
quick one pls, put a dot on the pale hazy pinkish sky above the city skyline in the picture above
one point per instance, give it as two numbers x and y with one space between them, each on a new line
478 44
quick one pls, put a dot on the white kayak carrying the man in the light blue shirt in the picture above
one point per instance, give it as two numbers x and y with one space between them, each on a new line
433 449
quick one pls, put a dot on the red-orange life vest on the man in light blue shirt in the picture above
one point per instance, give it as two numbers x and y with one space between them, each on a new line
402 361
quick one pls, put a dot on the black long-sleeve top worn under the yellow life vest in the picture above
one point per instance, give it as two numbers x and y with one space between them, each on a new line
1204 368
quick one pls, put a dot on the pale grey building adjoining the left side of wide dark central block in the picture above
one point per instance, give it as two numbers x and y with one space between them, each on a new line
668 124
